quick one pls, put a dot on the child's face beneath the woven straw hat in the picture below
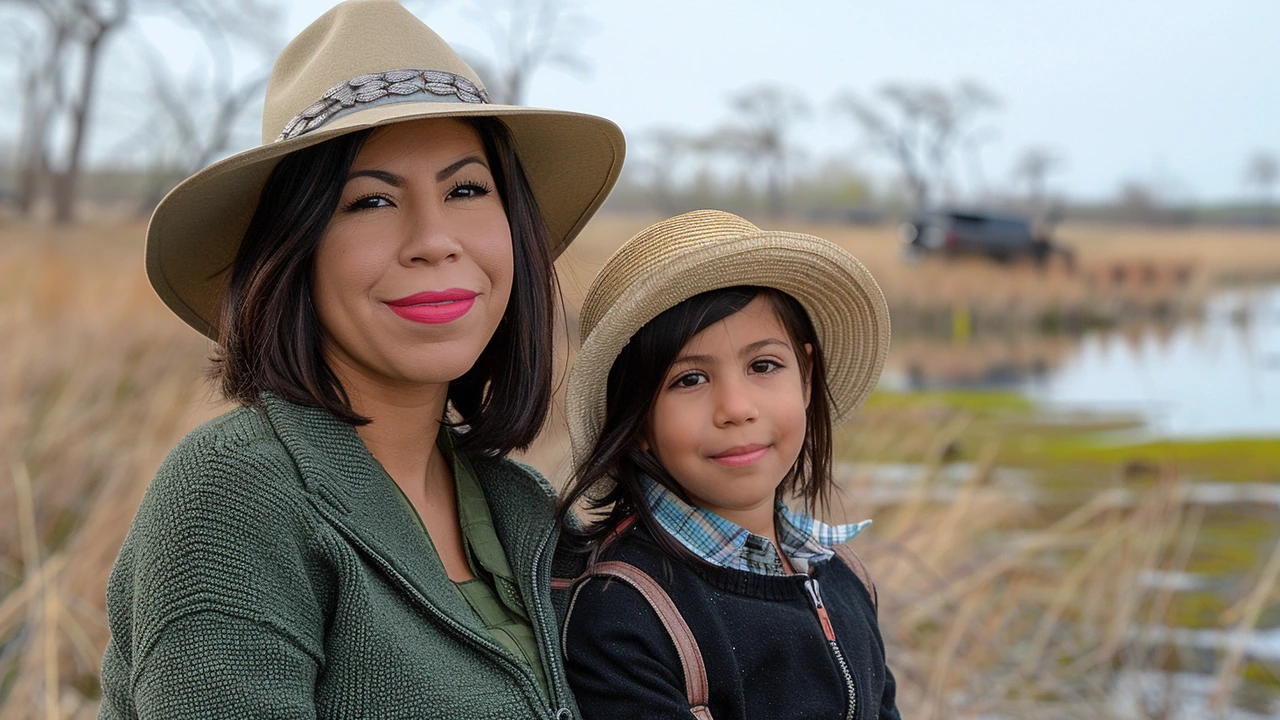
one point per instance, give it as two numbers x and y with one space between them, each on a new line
730 417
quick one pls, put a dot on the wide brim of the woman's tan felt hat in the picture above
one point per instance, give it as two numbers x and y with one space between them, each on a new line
570 160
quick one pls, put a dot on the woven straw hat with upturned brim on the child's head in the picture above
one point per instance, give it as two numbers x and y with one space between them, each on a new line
676 259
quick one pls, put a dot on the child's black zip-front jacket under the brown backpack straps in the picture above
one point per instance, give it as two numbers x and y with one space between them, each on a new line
760 636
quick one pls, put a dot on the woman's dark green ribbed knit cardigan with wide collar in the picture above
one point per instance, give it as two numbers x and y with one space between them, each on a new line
273 572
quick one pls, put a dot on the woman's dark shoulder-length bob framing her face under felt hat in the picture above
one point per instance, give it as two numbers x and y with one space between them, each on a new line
271 339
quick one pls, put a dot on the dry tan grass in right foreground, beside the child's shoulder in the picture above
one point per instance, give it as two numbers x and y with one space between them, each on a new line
1034 625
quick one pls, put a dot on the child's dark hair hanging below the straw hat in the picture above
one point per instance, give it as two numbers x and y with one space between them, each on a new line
637 377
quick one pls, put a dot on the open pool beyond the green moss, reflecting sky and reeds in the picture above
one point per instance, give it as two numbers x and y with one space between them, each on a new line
1219 376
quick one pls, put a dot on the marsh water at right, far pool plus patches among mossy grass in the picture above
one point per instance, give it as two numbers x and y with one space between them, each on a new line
1217 376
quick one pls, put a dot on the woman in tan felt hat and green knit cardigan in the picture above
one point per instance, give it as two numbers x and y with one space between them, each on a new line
350 543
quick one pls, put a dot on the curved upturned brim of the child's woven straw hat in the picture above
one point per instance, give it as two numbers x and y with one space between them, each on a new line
844 303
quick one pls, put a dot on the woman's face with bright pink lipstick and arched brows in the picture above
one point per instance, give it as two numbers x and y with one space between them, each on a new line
414 272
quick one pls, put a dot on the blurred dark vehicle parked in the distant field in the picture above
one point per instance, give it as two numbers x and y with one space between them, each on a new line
1003 238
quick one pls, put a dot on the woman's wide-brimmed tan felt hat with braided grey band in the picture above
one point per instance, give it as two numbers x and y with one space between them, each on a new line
364 65
